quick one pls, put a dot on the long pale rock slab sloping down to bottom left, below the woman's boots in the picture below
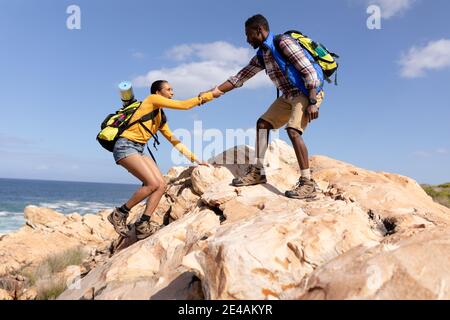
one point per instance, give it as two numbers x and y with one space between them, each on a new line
144 268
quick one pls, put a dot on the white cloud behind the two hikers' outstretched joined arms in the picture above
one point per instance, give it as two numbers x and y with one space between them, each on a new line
201 66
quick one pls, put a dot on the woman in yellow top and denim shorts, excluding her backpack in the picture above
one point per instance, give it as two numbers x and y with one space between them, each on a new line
129 153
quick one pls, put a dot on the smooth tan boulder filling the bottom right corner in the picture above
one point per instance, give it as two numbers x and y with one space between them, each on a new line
413 268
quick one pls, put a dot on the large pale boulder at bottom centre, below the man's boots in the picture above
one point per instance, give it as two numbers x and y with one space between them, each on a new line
261 256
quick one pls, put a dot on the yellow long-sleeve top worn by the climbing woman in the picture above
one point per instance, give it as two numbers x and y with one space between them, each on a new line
137 132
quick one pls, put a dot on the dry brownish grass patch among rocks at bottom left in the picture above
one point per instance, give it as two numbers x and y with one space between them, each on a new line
46 276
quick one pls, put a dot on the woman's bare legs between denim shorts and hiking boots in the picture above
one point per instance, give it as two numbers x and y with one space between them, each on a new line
138 167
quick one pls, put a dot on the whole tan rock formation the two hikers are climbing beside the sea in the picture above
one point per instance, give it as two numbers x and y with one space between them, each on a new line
367 235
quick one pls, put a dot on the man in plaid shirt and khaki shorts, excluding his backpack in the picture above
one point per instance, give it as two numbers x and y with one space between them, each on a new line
290 69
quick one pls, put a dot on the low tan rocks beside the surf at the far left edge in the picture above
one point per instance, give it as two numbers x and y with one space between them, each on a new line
53 233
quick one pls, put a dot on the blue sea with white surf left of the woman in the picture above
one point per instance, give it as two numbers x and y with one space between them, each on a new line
62 196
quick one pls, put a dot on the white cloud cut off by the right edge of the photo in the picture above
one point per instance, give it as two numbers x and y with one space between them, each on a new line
434 56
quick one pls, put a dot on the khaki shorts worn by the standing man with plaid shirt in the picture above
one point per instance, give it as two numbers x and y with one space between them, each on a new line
290 112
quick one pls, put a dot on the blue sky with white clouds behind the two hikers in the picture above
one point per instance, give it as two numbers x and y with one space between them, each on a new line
390 111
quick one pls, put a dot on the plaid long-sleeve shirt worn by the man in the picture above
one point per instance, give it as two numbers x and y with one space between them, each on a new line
295 55
